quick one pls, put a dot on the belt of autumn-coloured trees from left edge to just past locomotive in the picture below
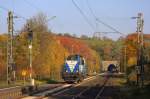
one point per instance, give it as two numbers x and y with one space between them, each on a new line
49 54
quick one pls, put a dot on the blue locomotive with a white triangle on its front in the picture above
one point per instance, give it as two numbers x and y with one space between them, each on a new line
75 69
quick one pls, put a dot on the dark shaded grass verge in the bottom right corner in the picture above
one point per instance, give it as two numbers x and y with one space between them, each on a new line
128 91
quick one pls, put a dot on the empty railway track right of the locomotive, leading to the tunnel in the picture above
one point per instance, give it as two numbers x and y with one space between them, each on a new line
86 90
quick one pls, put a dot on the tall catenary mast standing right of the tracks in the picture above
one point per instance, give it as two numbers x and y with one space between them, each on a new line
140 65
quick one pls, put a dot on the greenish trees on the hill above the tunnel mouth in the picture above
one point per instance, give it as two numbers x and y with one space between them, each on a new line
107 48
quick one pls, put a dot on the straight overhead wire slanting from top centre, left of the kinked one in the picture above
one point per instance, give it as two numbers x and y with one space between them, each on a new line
82 13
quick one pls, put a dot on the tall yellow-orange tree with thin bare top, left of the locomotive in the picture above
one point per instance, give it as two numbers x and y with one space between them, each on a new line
47 56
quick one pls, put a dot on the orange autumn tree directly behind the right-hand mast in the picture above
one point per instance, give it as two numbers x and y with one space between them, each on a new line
132 47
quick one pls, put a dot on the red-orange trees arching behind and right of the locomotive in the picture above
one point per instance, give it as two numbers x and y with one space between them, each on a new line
77 46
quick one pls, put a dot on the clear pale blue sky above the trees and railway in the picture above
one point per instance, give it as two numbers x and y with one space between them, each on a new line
116 13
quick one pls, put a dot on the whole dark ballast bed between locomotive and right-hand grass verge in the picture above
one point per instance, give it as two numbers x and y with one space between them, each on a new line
97 87
